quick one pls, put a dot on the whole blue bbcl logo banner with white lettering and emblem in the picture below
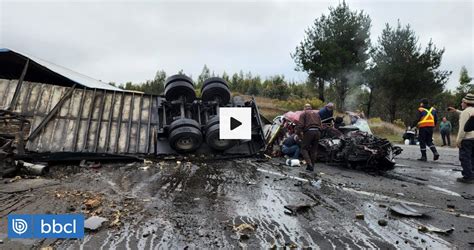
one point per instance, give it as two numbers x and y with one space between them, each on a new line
45 226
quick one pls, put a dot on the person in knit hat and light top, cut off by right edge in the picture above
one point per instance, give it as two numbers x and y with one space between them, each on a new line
465 140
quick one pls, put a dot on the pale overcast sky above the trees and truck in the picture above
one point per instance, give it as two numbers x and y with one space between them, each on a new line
121 41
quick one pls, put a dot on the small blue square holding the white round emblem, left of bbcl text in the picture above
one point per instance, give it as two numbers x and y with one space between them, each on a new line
20 226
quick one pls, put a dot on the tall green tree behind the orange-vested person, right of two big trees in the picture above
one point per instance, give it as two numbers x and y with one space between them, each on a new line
404 73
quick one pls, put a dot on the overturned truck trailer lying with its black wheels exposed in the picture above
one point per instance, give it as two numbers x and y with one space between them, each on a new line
70 116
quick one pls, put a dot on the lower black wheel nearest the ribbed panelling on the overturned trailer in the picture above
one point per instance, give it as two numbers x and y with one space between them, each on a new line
185 139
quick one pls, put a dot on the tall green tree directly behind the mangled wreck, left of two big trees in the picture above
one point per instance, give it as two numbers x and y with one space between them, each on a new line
335 49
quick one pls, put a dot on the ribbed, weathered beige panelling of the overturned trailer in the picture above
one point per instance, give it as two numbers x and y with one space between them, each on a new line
90 120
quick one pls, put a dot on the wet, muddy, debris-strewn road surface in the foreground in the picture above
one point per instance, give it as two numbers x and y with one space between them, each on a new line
241 203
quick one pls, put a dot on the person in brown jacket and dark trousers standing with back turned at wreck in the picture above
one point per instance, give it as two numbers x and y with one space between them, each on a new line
310 126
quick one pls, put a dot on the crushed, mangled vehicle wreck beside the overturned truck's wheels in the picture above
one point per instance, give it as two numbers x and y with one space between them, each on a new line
353 145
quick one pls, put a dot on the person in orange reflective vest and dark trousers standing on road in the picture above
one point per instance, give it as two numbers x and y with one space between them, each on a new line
426 122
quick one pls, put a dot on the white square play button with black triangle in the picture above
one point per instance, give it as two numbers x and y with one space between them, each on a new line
235 123
